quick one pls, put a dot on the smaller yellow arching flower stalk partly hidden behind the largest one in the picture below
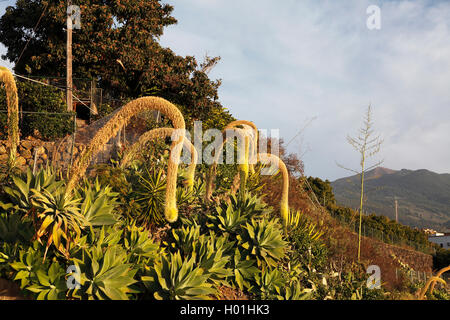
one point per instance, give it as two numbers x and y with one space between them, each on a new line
159 133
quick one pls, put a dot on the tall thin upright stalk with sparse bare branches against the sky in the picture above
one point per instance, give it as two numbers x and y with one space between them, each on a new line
367 146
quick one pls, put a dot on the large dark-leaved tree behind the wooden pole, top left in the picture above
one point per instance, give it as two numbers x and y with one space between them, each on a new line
117 45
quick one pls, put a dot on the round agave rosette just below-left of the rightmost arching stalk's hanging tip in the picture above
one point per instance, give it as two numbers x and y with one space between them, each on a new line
263 240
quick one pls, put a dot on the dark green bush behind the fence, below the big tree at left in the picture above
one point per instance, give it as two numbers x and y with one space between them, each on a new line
53 121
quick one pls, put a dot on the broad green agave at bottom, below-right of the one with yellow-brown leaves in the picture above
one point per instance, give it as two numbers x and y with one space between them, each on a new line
105 274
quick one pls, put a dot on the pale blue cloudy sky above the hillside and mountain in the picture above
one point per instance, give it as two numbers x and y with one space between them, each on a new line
311 68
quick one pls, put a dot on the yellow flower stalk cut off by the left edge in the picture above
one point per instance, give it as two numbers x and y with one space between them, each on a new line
12 102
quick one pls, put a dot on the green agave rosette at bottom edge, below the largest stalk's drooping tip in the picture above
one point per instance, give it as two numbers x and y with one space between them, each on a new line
175 278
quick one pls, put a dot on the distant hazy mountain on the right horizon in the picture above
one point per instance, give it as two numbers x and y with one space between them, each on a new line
423 196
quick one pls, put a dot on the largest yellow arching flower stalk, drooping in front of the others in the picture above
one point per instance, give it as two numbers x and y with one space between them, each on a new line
121 119
